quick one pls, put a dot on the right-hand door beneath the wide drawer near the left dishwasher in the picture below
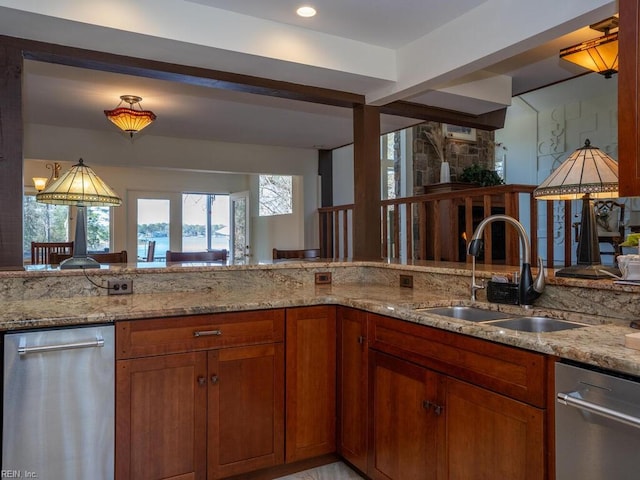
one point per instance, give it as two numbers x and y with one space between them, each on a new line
246 409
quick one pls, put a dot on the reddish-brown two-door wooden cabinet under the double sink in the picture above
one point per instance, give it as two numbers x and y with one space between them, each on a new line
483 406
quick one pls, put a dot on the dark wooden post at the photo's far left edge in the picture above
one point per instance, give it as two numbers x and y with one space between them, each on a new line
11 165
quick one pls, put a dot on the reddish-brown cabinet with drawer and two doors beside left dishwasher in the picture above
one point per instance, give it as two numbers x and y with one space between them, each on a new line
199 396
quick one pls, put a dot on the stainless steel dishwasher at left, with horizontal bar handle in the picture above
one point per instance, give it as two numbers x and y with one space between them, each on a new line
58 412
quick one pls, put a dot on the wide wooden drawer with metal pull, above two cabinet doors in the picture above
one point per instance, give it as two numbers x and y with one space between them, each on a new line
160 336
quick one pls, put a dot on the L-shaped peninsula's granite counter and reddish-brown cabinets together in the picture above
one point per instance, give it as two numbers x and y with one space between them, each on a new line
278 315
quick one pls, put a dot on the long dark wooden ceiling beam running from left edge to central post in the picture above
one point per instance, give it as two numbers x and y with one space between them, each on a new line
108 62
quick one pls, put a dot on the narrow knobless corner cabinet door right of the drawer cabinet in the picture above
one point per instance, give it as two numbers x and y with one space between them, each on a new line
311 382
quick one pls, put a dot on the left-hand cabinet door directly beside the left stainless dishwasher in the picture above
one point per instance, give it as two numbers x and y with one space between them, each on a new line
161 417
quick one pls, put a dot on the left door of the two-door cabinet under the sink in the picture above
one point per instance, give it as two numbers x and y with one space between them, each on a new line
406 420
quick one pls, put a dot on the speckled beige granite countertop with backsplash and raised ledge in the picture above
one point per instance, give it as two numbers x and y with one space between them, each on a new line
45 297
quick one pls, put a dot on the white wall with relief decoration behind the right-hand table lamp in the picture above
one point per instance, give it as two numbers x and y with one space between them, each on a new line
544 127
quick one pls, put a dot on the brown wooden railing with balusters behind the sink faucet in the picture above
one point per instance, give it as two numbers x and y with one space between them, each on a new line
436 226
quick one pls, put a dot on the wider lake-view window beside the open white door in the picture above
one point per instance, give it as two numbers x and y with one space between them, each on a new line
205 222
